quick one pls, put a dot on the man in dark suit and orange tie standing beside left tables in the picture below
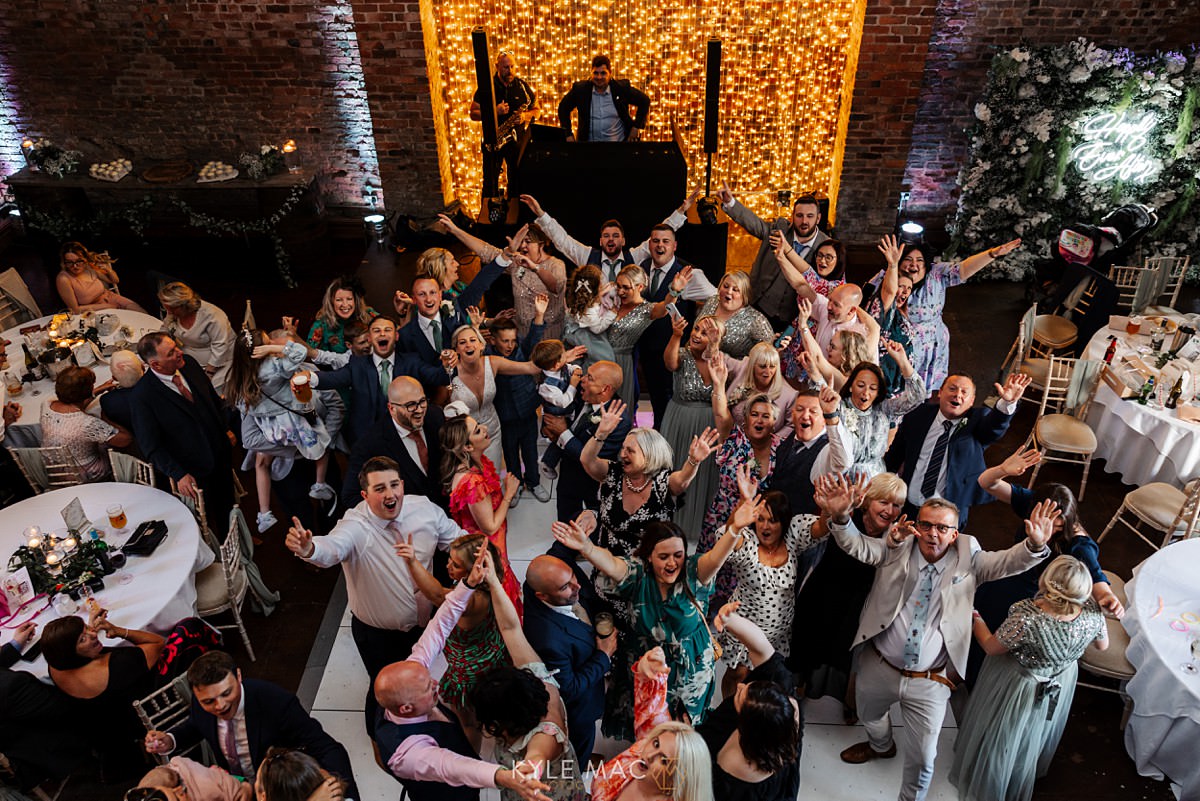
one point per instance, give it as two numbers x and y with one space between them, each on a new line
181 425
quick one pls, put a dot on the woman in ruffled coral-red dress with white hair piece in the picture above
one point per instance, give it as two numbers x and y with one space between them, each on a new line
478 501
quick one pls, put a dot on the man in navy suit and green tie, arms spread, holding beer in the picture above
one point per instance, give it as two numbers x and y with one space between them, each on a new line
369 378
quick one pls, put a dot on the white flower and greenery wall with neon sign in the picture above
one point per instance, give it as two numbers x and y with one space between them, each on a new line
1067 134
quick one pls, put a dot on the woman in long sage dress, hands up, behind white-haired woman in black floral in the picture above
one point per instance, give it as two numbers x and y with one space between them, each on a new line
691 411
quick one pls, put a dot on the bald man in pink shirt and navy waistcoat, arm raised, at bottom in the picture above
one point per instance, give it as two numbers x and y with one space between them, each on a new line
419 739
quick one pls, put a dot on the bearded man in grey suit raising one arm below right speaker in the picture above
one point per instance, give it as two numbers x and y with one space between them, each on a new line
772 294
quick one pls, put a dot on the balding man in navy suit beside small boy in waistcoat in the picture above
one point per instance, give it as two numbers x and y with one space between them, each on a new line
577 490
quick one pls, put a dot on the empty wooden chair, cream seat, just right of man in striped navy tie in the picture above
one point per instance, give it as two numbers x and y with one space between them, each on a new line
1064 435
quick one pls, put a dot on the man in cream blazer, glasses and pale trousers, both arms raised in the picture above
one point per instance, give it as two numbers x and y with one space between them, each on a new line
915 630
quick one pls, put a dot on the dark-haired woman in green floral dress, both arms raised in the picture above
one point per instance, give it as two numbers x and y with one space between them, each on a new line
669 592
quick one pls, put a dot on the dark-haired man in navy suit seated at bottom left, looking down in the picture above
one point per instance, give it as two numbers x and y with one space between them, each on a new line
242 720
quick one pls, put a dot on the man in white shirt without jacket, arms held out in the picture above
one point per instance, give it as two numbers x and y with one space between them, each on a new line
388 613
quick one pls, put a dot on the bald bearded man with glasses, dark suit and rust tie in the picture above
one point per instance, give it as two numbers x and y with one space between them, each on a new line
409 436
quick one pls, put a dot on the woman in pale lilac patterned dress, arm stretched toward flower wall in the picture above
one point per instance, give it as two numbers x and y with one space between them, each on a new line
932 341
